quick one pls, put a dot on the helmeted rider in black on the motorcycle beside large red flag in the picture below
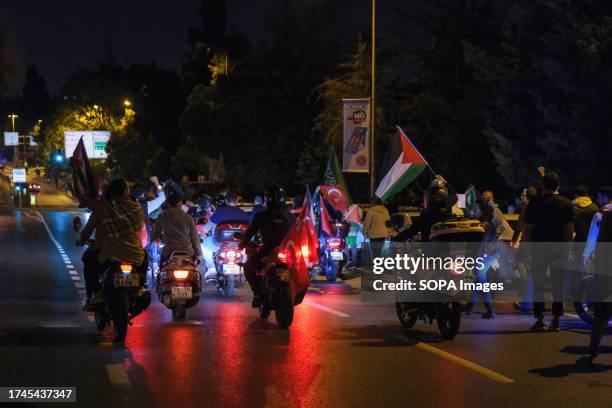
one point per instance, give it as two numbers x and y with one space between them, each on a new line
273 224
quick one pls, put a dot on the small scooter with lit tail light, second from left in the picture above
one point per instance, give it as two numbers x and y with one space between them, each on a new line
179 284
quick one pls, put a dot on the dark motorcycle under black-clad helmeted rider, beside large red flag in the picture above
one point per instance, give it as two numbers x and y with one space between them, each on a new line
275 291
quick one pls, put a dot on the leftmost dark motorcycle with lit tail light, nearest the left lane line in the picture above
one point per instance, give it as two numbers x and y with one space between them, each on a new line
125 297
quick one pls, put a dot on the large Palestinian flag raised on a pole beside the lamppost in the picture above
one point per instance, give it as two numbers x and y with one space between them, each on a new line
408 166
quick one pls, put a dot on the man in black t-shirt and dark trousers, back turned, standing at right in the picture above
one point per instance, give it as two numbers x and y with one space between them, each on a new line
549 223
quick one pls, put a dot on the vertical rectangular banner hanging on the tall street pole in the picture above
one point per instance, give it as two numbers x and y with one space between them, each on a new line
356 141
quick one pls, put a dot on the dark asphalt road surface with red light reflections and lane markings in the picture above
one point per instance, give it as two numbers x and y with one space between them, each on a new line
339 352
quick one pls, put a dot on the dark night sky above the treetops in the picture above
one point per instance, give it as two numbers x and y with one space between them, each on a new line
61 36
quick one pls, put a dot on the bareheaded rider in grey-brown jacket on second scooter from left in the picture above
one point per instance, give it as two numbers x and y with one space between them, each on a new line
177 230
